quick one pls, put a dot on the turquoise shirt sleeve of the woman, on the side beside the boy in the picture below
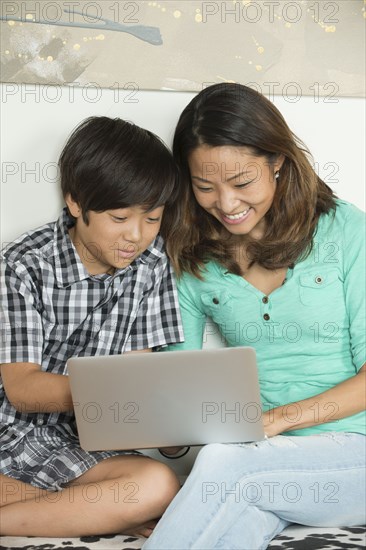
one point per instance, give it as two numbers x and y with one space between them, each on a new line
193 316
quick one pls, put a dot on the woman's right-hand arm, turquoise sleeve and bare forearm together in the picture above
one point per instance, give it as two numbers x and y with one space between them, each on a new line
348 397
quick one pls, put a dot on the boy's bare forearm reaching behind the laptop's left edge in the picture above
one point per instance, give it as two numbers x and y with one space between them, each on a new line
31 390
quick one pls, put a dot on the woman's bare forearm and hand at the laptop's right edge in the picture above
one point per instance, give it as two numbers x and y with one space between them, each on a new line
345 399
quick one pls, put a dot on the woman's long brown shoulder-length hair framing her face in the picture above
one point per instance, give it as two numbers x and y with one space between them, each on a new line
235 115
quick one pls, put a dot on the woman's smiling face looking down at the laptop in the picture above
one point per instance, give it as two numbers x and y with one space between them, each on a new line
234 186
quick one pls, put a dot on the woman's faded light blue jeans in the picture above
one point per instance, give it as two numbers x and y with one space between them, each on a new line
242 496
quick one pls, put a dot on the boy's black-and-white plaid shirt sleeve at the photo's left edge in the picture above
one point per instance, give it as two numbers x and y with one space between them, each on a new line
20 321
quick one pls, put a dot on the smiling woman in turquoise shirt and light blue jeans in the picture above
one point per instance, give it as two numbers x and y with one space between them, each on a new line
263 247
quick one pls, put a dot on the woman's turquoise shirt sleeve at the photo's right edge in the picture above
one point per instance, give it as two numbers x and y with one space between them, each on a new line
354 253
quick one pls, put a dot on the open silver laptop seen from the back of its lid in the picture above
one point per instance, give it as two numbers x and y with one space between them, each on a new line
163 399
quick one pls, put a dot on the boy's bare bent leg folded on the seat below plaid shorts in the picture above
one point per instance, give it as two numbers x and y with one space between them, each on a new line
119 494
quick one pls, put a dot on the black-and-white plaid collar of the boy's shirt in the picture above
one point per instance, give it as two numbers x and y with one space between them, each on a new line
68 265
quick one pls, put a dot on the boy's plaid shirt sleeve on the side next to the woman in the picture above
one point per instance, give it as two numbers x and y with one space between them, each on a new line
158 320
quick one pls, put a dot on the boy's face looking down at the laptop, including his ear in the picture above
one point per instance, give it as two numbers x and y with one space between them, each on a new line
115 238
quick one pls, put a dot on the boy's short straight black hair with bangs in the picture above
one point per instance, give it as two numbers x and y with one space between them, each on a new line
111 163
